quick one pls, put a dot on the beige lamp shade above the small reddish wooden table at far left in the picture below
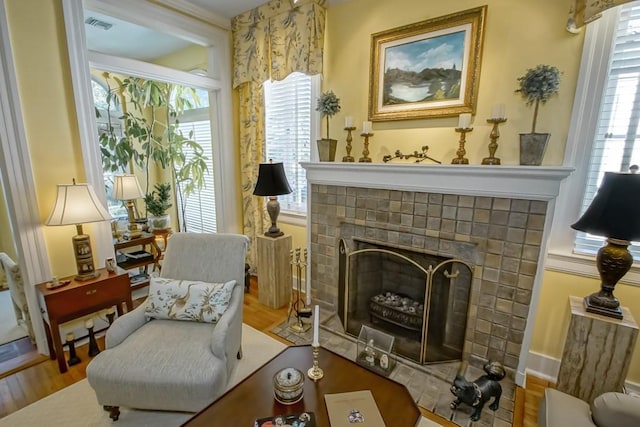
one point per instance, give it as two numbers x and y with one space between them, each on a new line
77 204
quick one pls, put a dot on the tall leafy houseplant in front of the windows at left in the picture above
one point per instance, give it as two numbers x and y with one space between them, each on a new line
152 136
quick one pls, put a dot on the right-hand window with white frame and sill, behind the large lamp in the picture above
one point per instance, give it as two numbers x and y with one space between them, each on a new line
602 135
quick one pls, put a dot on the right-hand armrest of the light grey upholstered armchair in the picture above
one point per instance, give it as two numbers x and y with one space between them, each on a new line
227 334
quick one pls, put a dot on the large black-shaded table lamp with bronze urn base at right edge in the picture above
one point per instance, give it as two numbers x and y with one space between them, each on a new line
615 214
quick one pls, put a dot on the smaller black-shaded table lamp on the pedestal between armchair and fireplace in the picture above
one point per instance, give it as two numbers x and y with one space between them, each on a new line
272 182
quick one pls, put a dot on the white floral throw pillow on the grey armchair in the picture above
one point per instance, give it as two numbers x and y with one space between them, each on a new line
188 300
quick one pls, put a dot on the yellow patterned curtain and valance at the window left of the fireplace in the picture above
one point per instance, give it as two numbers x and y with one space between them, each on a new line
269 42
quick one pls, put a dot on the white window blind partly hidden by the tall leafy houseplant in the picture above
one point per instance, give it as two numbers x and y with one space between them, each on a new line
200 209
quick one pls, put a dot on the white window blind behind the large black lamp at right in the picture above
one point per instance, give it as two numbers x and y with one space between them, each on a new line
615 147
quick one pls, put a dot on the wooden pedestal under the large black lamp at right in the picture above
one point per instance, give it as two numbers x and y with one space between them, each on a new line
597 352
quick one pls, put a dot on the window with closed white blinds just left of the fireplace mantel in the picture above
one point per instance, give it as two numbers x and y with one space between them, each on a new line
290 118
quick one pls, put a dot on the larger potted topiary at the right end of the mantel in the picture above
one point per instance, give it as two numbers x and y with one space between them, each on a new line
537 85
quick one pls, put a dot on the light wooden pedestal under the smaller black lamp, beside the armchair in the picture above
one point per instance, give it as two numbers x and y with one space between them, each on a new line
274 270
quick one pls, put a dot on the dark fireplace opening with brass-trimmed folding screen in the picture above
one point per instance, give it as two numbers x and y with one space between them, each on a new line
421 299
